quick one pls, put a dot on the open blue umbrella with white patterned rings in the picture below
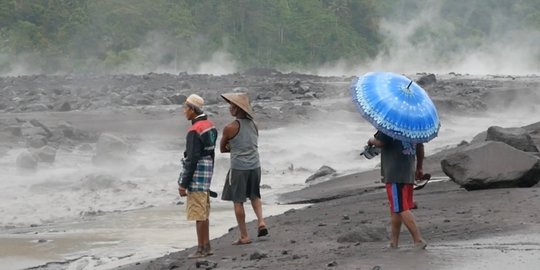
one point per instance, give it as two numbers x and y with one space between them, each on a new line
396 106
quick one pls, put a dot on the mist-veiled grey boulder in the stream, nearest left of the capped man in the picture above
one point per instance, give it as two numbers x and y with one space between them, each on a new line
111 150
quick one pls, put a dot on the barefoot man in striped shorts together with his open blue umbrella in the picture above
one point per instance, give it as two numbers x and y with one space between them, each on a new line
405 118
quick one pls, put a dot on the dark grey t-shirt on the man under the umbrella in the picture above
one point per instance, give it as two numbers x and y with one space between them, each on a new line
398 160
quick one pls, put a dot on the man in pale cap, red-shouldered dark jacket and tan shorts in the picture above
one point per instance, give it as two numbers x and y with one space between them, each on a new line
194 181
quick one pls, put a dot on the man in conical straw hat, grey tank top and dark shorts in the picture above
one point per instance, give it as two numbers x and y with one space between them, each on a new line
240 138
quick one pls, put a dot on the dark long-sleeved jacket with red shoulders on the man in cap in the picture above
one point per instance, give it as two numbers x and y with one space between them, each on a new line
200 142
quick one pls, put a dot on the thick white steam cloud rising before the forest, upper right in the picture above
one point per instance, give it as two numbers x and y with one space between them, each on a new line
426 41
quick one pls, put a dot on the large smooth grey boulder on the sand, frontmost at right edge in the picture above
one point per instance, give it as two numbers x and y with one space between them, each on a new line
492 164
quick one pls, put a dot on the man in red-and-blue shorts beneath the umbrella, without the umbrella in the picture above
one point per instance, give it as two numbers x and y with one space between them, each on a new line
399 170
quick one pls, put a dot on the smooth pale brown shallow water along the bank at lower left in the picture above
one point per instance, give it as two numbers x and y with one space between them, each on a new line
103 242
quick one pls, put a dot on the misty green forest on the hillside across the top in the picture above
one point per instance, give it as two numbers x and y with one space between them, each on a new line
96 36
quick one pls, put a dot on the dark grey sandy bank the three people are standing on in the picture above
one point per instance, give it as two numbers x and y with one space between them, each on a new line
353 233
